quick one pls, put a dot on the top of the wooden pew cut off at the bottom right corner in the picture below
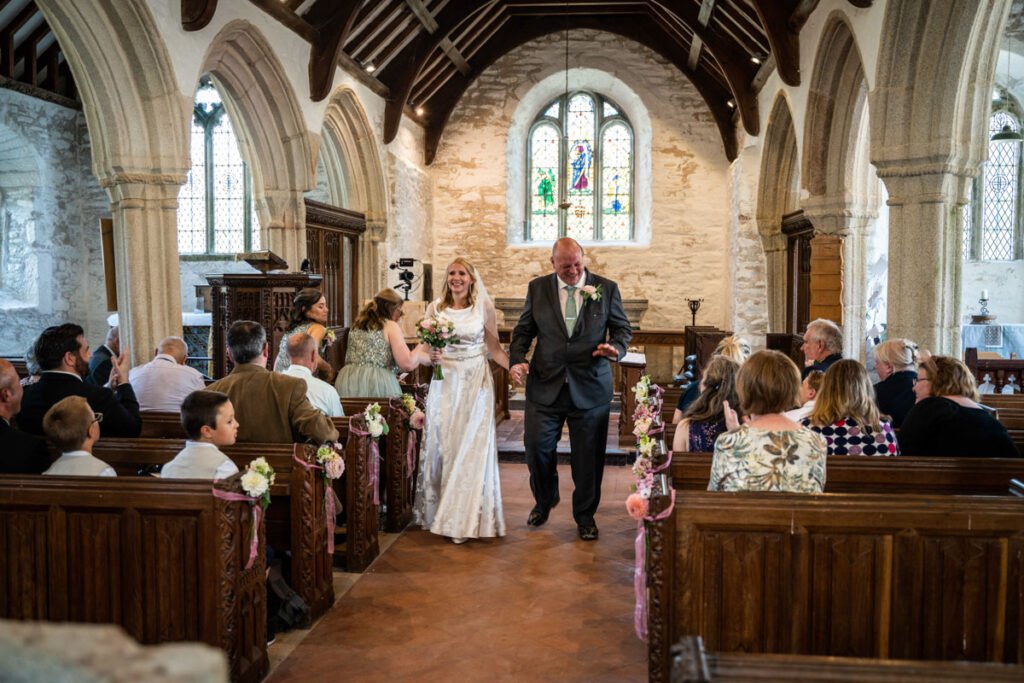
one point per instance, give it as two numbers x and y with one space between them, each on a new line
692 664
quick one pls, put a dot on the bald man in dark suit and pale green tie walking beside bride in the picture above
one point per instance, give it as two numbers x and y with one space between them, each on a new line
579 323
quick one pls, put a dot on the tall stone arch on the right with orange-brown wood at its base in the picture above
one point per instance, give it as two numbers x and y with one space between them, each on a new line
842 202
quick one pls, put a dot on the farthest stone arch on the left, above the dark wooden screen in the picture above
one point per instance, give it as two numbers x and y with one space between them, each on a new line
353 160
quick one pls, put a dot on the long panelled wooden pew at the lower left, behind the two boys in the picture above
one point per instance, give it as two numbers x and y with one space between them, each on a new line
164 561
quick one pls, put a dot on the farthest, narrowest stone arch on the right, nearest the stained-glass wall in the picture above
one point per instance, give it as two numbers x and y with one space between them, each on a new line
779 195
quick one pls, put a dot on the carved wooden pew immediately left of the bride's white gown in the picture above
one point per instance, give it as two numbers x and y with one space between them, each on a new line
398 485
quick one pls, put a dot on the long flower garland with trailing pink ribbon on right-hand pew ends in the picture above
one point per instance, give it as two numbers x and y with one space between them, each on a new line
653 459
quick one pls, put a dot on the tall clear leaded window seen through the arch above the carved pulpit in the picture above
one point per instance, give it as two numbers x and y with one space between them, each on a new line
217 215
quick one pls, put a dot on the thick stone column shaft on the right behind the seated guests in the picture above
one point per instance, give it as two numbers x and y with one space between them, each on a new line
925 265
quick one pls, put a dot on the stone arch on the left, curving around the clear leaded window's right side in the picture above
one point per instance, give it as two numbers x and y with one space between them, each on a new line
273 137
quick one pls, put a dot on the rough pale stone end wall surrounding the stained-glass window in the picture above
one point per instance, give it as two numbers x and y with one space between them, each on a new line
685 245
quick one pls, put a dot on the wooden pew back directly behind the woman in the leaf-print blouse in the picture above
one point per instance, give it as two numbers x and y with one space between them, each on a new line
863 475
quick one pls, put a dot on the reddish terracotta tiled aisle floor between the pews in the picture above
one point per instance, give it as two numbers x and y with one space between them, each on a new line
537 606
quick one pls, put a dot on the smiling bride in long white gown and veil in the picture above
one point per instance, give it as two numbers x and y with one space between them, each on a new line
458 492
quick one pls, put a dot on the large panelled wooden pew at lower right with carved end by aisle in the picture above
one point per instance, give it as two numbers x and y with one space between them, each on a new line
866 576
